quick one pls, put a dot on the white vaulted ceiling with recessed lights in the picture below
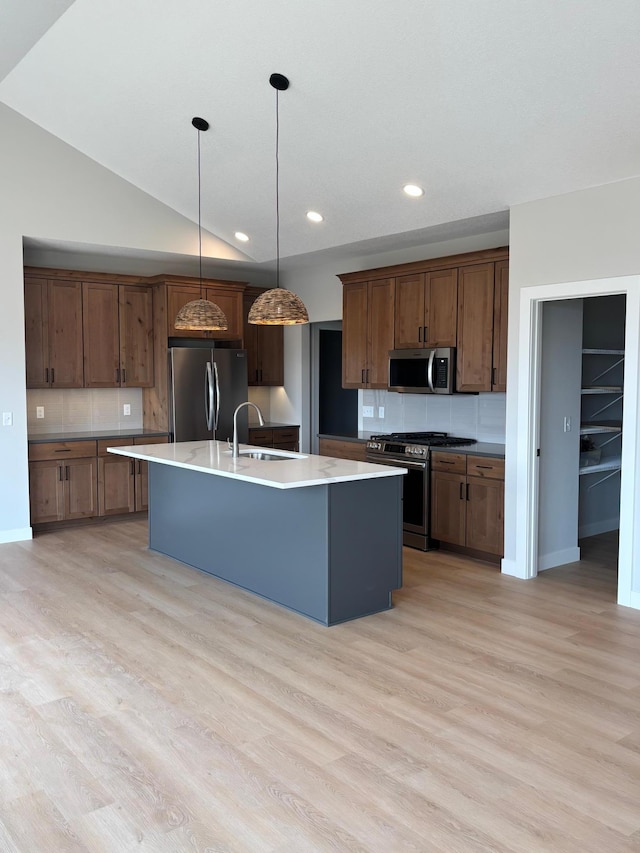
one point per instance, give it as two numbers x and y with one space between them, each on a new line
483 103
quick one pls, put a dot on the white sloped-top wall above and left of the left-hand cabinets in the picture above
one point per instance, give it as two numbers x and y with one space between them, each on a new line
50 191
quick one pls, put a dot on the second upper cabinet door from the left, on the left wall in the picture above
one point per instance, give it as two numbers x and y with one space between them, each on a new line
65 334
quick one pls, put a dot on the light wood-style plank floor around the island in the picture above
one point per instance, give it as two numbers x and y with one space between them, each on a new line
145 706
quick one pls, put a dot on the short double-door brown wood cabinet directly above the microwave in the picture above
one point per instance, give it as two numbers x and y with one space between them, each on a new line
426 306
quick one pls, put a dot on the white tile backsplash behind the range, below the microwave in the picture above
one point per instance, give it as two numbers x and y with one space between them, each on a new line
479 416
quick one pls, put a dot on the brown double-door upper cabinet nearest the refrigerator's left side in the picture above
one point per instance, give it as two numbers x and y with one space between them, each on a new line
117 335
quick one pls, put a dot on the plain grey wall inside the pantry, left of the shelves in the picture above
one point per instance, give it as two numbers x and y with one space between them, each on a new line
559 448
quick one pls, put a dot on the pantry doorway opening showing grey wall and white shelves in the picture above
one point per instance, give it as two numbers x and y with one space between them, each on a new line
580 433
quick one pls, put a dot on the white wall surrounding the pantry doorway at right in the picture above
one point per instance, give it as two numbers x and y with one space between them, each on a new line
578 237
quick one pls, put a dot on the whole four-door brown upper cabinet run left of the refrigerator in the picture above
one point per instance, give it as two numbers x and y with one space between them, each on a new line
87 334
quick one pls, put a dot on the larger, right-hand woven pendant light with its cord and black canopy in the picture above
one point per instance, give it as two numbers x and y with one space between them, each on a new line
278 307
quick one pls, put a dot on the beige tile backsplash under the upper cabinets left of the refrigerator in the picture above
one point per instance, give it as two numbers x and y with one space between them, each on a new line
83 409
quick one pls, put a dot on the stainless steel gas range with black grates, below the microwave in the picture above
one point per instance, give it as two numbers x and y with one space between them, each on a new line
412 450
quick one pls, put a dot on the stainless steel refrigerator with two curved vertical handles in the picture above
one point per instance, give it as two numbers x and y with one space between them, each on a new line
205 387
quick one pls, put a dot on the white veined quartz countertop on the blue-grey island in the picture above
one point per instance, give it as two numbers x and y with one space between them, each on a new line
214 457
